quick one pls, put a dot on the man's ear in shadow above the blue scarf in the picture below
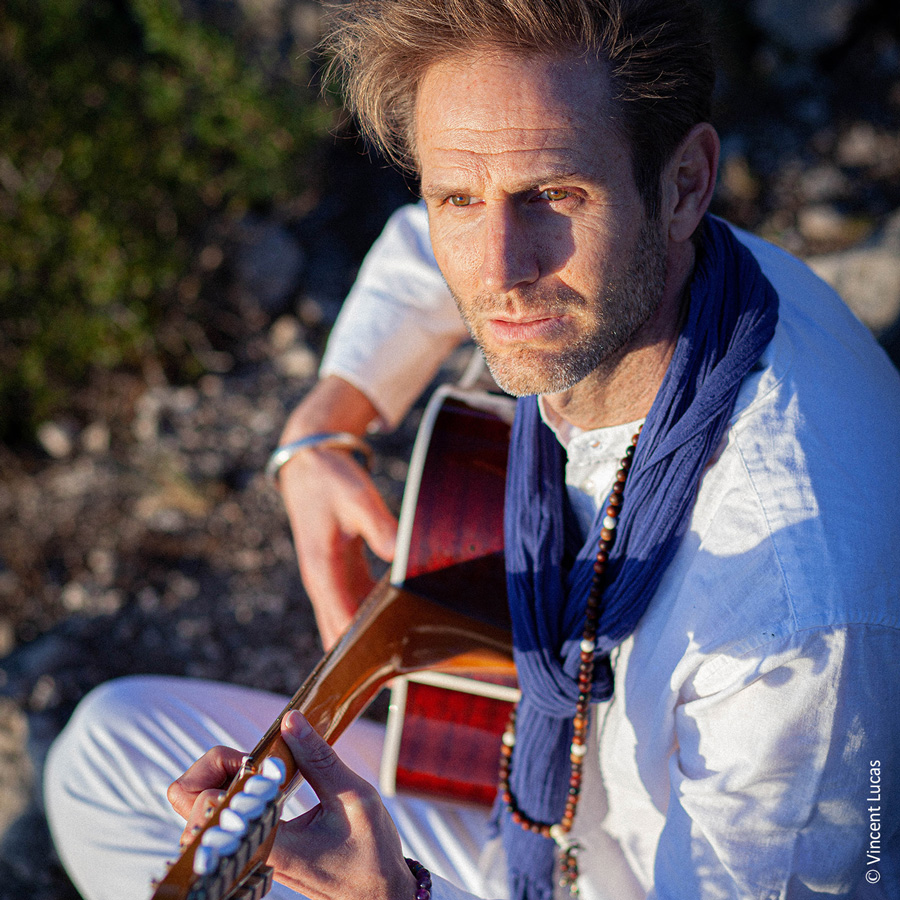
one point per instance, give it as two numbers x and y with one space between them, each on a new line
689 180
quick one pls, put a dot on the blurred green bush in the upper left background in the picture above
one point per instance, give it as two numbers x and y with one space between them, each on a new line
124 130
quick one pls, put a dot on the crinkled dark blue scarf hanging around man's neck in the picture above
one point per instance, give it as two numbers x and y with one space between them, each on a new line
730 320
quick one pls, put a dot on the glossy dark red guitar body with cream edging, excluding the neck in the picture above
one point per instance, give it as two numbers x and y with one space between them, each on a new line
443 730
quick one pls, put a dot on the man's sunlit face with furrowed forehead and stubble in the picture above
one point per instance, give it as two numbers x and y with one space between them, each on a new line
535 218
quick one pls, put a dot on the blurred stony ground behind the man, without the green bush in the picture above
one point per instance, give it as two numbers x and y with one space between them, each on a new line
139 534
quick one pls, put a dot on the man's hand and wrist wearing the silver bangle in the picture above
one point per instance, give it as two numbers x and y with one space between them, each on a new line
334 507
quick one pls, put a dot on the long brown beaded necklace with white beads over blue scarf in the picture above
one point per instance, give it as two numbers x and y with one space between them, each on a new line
559 831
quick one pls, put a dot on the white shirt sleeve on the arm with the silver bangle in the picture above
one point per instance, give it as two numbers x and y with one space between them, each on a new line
399 321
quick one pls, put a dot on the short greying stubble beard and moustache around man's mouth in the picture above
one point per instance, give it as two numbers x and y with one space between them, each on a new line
617 318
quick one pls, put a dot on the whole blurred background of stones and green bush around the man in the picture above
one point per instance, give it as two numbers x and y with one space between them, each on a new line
180 218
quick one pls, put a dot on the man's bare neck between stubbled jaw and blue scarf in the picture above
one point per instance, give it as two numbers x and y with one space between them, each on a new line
623 388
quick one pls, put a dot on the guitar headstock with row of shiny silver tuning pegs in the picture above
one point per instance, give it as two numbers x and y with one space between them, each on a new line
226 858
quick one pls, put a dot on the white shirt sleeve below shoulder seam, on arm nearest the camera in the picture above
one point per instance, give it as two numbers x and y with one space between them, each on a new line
785 773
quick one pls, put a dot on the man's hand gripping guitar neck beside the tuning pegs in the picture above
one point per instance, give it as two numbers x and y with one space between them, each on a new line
346 846
